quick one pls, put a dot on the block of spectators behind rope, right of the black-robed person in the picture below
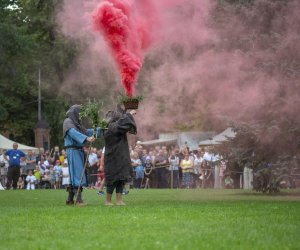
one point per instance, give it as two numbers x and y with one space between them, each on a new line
163 167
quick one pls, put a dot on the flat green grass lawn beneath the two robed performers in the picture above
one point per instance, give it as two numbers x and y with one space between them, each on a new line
152 219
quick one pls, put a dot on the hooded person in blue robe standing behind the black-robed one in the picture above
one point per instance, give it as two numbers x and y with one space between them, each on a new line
75 137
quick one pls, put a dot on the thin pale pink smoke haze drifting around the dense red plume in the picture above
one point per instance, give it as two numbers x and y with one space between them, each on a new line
208 63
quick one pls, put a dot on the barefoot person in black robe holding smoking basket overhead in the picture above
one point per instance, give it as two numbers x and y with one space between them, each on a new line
117 162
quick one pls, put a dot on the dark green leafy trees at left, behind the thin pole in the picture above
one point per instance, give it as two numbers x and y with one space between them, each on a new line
30 42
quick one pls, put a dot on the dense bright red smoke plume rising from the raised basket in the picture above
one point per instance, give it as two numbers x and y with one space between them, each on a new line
127 34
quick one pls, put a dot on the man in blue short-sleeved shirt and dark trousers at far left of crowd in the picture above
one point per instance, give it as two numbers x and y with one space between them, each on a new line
15 157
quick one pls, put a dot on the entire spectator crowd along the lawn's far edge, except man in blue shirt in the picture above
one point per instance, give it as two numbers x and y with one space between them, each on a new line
155 167
